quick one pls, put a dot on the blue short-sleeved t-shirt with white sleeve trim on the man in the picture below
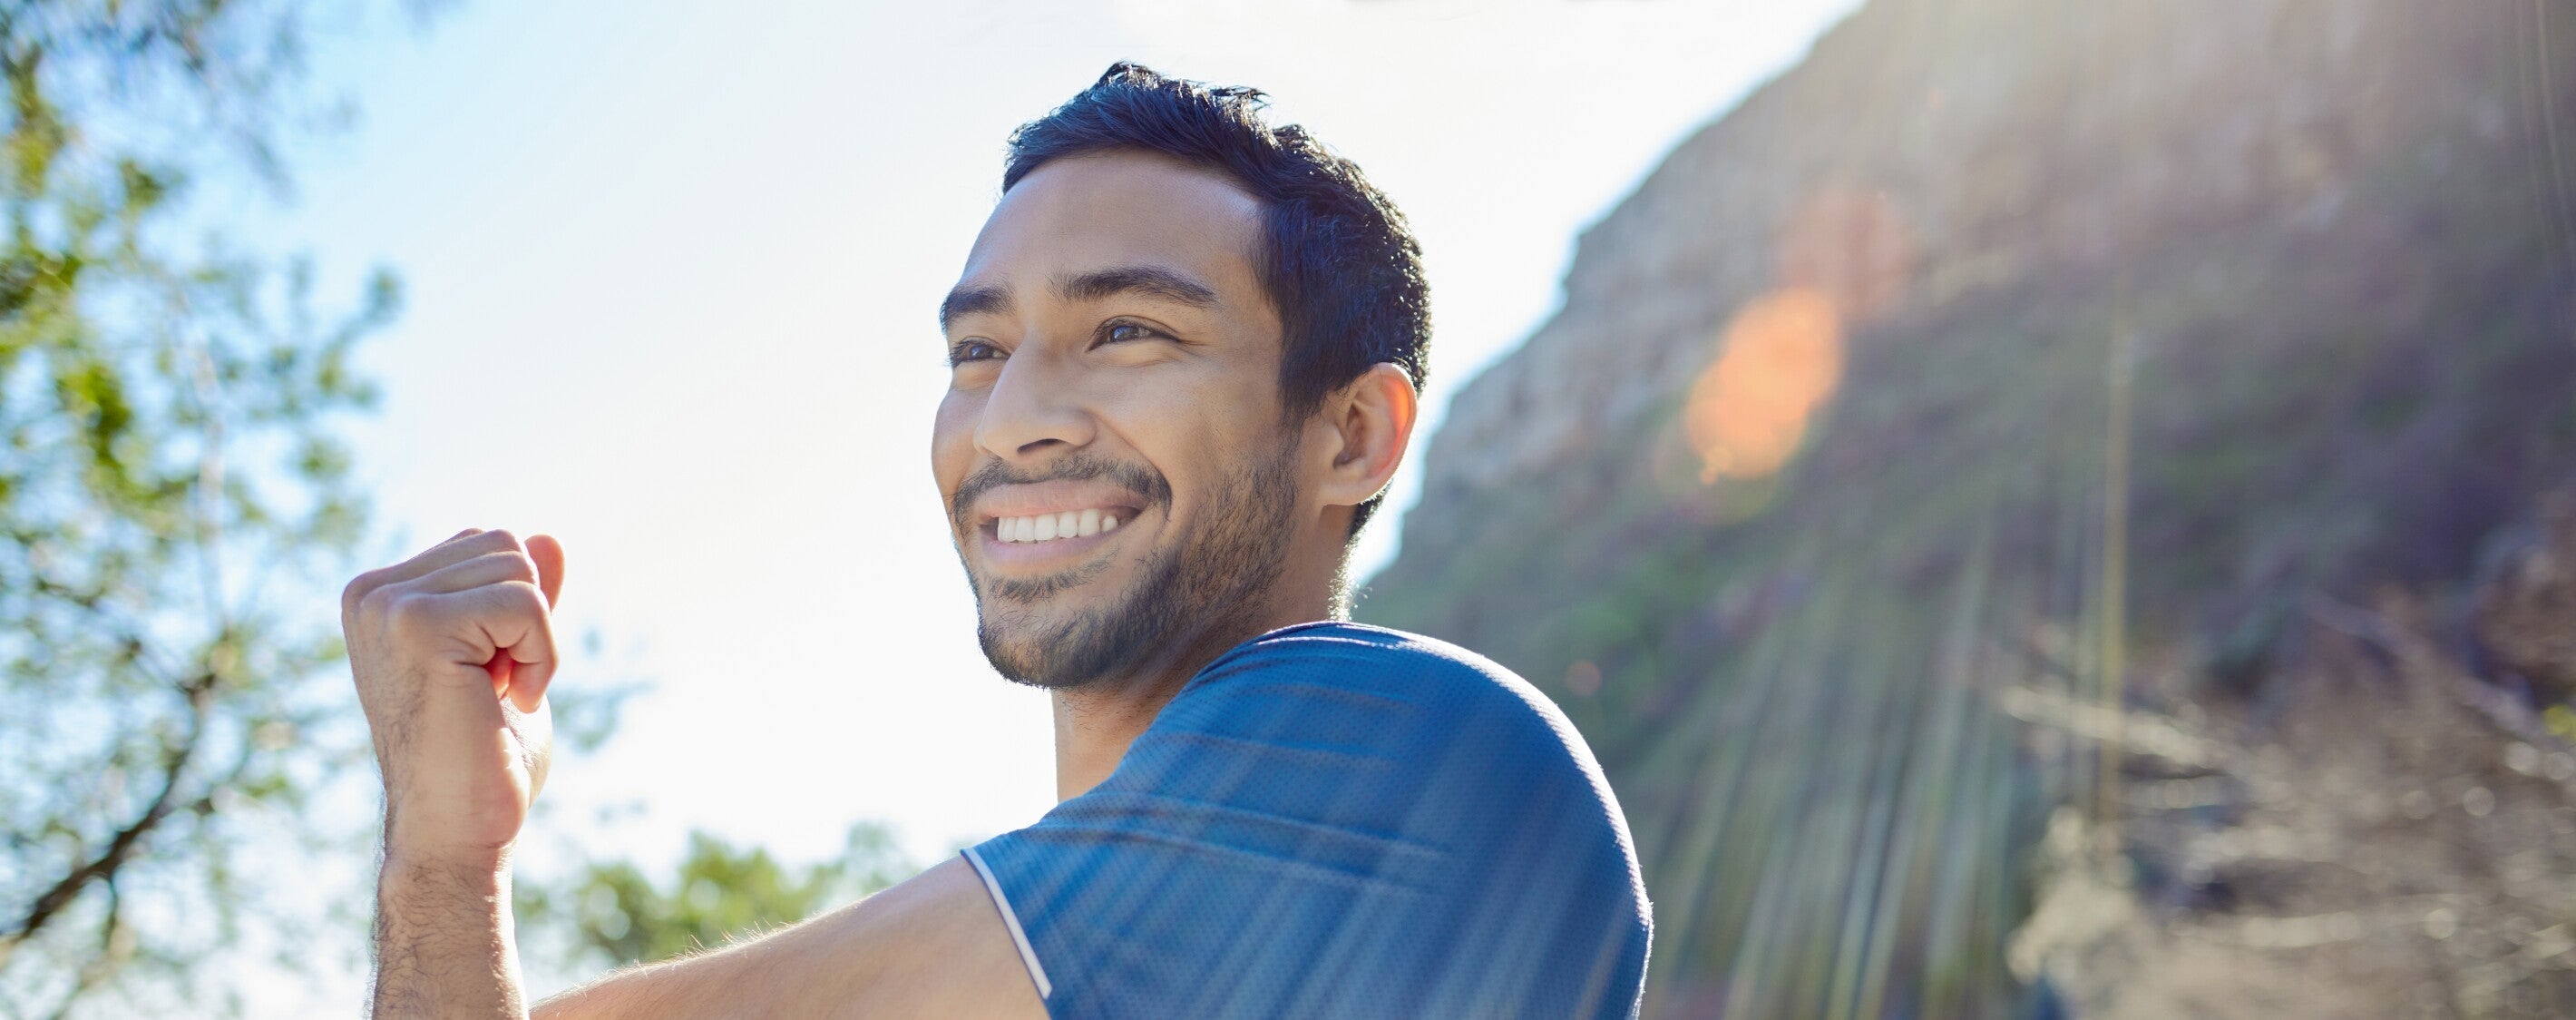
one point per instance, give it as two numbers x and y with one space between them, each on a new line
1336 820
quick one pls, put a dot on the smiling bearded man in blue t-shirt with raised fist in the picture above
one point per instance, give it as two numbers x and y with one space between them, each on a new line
1184 364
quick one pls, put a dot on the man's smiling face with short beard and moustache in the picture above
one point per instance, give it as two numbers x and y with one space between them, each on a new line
1112 449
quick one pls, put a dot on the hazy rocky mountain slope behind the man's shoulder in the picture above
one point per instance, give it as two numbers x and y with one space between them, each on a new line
2008 385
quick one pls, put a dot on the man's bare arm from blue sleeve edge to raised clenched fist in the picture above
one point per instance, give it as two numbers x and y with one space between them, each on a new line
452 653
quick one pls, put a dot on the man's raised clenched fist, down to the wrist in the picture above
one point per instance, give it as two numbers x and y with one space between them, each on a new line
452 653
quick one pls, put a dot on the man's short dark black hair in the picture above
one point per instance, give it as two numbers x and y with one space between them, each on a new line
1336 256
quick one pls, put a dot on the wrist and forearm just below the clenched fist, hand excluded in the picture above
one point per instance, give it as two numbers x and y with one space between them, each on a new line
444 944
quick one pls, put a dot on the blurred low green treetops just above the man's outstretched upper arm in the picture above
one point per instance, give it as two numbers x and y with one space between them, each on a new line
617 916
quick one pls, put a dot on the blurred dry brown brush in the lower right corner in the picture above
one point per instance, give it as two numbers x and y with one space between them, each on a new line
2379 836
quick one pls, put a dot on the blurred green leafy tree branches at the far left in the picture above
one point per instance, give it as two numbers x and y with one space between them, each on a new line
174 501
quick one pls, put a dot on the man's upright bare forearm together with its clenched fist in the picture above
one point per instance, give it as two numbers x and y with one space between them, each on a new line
452 653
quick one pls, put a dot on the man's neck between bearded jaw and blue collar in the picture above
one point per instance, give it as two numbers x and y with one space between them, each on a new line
1096 722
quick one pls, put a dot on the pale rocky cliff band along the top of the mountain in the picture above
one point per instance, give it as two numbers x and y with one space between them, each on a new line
2011 140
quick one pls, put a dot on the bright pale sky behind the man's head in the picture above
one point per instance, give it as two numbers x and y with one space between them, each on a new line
671 297
